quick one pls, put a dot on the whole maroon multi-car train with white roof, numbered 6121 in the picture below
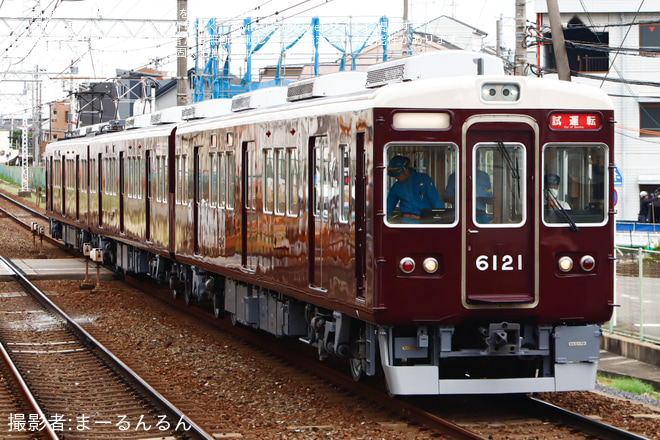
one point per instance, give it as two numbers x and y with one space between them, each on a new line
275 209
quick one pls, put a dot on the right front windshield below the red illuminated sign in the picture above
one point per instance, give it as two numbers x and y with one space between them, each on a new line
574 184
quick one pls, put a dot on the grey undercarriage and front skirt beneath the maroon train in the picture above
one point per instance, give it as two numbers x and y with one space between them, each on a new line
472 358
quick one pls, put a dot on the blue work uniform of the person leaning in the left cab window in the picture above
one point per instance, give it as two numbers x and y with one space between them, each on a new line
417 192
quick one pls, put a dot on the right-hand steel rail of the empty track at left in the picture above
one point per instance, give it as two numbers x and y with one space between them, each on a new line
137 382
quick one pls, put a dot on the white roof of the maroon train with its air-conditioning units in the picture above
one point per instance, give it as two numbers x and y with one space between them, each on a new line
440 80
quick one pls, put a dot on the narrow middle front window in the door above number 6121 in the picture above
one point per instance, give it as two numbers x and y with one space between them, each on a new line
498 190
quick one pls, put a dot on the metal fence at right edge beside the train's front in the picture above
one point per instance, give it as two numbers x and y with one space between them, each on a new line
637 292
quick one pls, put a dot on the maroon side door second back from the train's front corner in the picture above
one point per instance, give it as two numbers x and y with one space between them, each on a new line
319 206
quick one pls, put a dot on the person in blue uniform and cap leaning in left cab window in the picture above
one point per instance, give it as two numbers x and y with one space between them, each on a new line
412 191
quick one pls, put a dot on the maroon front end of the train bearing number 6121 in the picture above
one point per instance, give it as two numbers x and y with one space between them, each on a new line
493 226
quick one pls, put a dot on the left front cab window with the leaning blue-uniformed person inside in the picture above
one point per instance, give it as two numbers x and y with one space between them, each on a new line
415 180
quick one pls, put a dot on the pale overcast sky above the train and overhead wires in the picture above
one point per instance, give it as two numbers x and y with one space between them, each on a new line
96 59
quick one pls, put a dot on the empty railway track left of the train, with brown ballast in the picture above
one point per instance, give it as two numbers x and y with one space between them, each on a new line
84 391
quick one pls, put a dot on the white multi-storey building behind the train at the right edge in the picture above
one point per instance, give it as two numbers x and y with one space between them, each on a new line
615 45
